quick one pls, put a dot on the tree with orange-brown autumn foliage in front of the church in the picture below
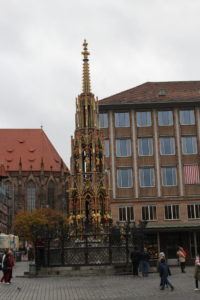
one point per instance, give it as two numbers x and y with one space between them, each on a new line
28 225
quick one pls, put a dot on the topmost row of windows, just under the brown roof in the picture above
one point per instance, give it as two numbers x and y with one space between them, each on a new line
144 118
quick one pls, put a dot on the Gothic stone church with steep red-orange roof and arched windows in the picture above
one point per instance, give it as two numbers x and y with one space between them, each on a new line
37 177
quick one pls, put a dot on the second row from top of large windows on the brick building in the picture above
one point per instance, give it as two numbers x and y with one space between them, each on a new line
145 146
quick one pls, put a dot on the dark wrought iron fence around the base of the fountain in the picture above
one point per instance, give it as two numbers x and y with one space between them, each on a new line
69 249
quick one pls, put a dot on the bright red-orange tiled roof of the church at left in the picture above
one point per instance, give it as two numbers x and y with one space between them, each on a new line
31 146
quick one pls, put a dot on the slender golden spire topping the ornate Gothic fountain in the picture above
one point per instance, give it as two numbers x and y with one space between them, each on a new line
86 71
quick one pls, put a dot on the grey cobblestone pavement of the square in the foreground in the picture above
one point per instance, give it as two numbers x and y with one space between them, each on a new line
124 287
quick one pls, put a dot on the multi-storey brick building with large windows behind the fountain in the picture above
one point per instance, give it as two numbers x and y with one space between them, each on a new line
152 147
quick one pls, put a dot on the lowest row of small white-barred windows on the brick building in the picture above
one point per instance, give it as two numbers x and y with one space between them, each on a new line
149 212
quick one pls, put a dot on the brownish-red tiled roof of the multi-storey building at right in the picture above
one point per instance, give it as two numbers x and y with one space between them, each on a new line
175 91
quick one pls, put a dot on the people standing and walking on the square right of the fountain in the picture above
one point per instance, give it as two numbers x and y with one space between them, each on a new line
140 260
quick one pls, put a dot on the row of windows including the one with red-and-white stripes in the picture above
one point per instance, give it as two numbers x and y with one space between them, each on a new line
147 176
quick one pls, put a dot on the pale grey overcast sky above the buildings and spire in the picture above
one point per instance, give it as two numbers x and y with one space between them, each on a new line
131 42
